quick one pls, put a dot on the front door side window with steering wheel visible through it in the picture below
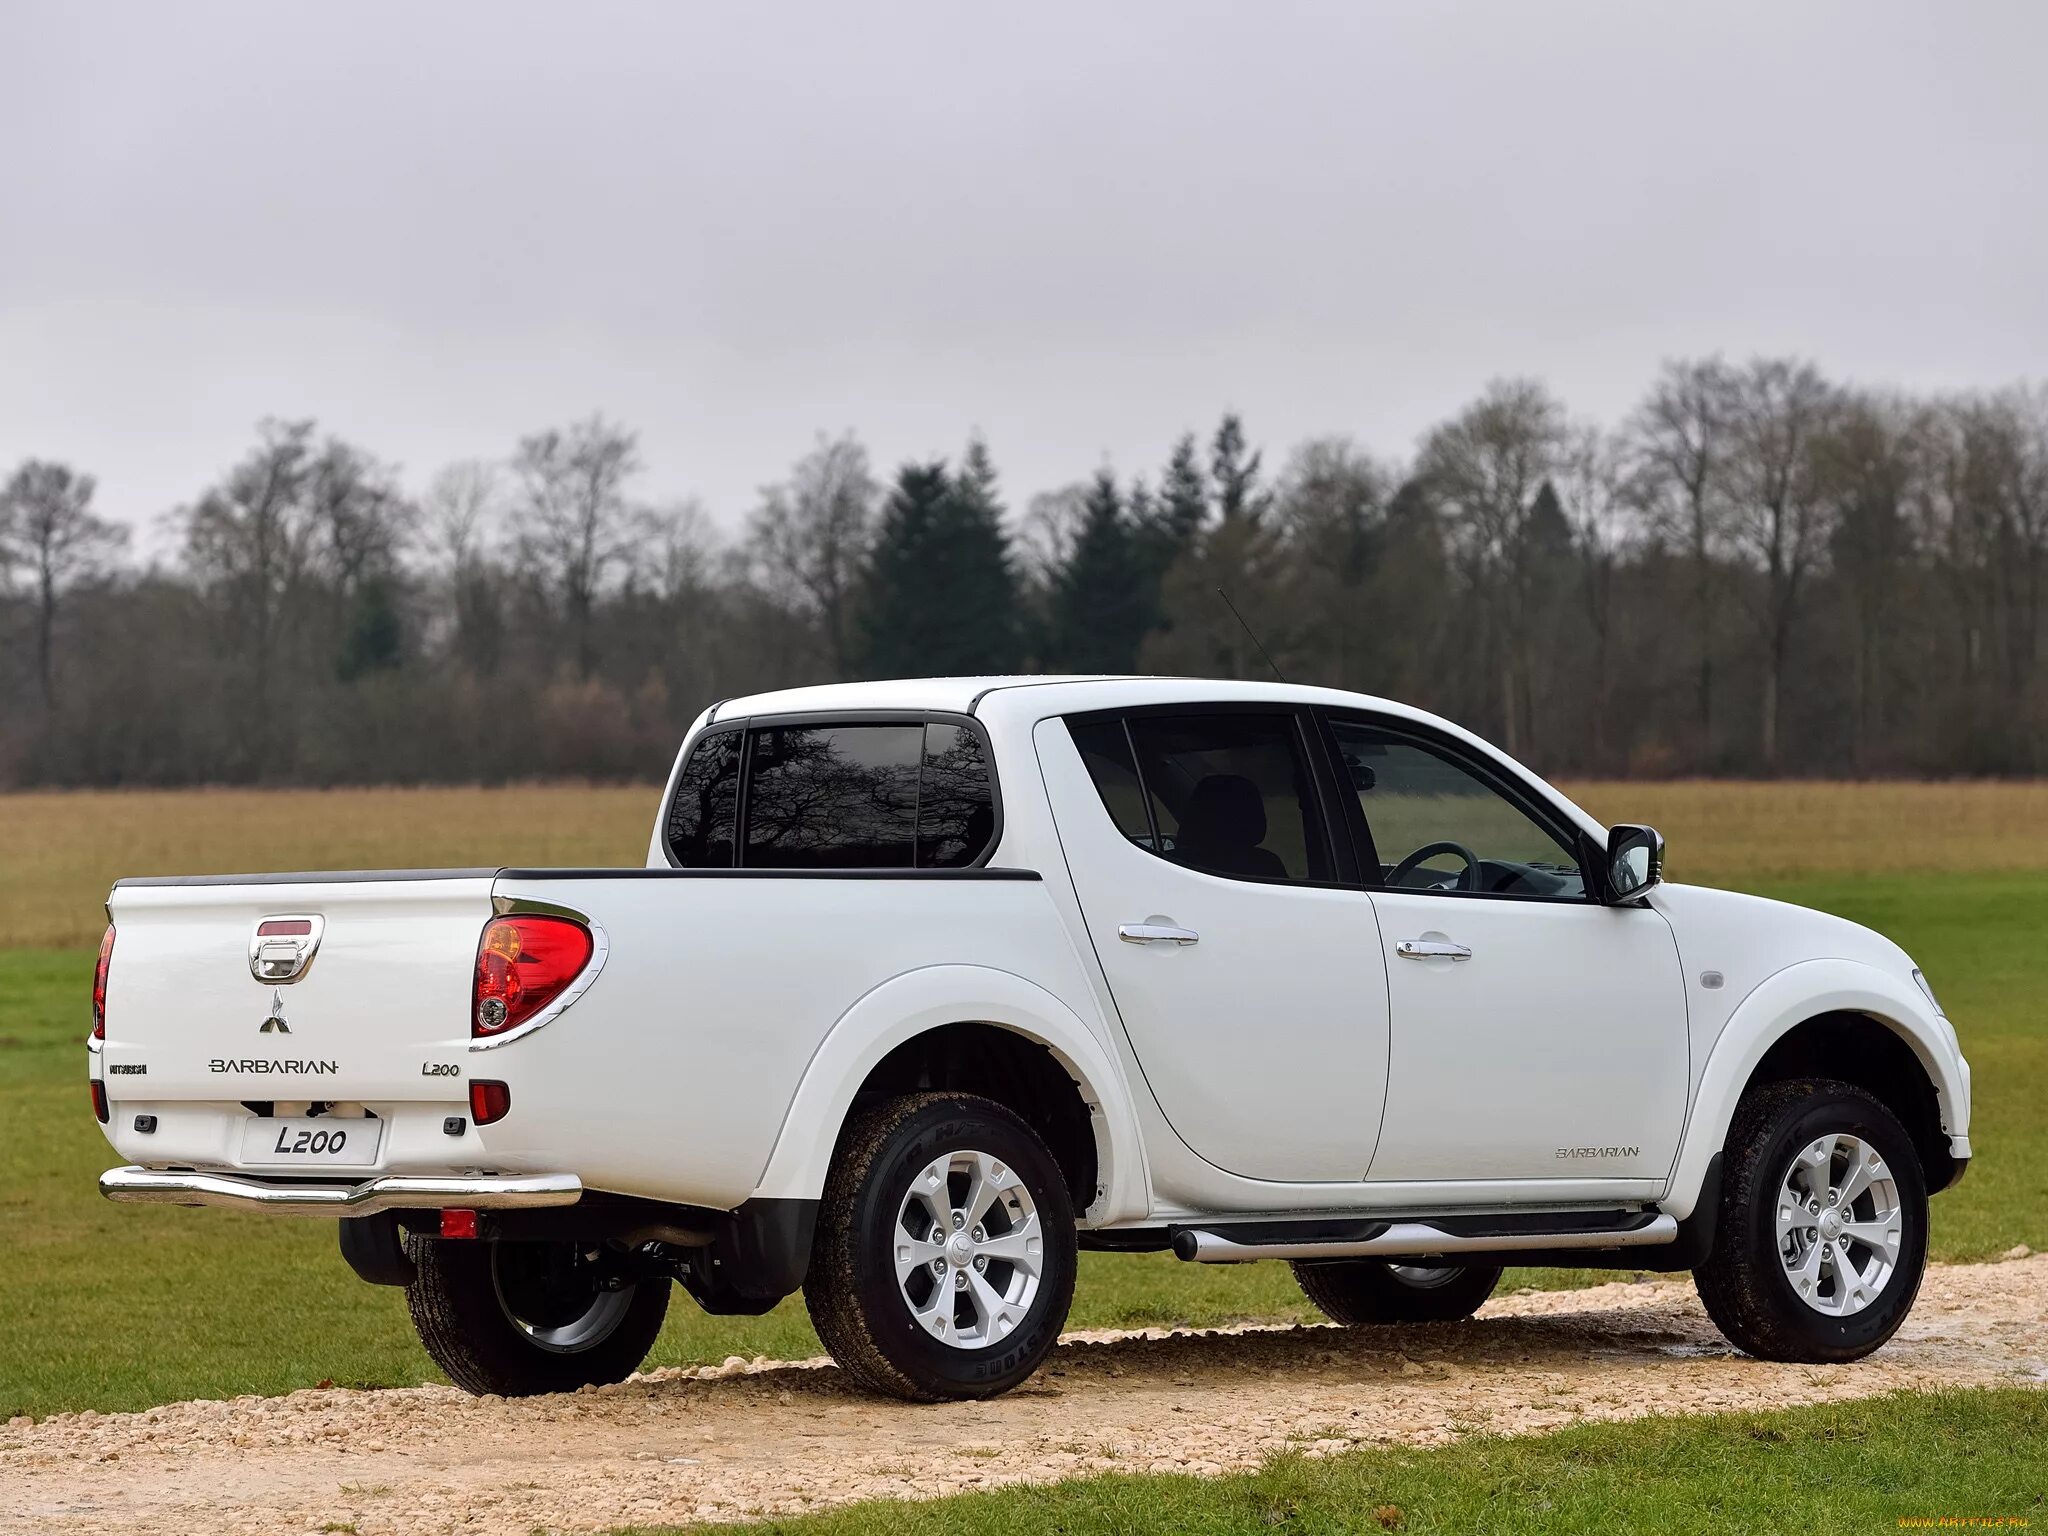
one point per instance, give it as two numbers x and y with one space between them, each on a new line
1441 826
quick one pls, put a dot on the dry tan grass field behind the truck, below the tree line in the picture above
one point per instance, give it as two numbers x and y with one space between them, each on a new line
65 849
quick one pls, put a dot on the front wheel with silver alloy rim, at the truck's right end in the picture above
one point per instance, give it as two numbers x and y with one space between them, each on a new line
1754 1277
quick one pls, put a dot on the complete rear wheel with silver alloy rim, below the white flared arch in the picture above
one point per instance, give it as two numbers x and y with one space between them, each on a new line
964 1332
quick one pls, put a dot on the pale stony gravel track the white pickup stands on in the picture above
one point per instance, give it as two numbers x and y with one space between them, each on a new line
771 1439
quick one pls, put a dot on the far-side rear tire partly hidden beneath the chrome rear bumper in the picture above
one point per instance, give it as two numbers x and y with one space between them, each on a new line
505 1318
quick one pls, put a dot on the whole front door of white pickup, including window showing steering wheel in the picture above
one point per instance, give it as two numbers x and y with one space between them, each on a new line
1537 1033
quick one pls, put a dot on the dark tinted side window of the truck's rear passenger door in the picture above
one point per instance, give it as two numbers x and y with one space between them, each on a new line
1220 794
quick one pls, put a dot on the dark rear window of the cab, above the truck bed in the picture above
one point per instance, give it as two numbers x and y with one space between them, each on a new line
857 796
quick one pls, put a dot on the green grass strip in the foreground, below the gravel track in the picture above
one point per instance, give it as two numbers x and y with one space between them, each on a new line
1844 1467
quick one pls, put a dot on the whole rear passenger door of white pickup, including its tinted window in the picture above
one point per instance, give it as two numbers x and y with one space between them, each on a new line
1248 980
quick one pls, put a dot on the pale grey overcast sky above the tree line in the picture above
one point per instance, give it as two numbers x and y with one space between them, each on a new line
1080 228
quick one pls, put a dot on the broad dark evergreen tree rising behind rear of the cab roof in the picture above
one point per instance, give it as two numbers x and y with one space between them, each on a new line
943 595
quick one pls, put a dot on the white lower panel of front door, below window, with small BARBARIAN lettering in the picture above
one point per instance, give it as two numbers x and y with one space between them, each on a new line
1555 1052
